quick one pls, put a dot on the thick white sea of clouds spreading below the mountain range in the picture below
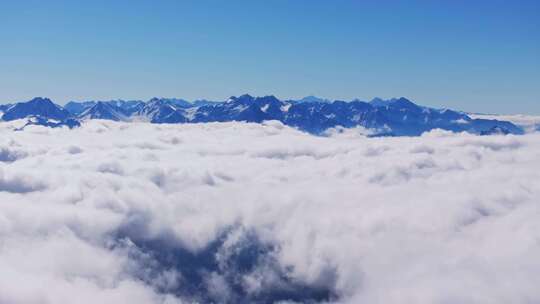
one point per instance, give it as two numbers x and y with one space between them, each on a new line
247 213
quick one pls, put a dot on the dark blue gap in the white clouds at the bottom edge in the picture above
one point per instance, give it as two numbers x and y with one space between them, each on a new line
236 267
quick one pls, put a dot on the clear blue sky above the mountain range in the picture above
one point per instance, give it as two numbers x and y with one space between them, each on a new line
468 55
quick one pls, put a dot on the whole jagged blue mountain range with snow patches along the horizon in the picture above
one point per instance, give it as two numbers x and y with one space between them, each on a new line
393 117
